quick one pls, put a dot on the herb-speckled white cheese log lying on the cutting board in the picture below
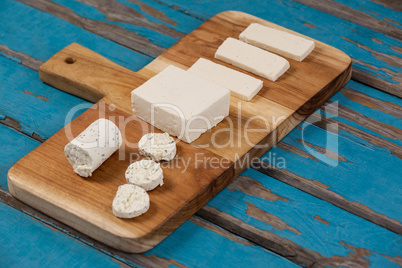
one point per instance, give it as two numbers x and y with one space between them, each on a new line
93 146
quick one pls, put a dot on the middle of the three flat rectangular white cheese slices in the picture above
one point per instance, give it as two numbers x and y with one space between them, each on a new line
252 59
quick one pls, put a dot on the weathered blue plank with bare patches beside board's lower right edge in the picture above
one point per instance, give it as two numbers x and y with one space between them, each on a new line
307 221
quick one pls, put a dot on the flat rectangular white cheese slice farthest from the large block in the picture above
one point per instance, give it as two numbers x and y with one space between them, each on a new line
277 41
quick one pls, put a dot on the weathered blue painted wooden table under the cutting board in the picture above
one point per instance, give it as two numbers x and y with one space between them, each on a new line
329 194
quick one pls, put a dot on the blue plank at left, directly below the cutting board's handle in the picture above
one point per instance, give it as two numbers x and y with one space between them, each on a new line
39 108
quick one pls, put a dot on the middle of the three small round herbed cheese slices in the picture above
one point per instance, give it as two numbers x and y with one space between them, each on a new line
145 173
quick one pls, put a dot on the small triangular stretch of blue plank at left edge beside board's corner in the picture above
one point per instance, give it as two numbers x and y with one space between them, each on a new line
13 146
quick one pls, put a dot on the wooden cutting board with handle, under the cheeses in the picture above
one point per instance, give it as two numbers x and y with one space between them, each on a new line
45 180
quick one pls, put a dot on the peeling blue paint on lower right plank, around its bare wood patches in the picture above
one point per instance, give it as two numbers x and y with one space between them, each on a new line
299 212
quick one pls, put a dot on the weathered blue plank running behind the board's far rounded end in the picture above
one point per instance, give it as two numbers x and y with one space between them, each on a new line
357 41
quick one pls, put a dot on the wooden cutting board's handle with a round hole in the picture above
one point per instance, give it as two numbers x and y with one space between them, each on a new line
86 74
